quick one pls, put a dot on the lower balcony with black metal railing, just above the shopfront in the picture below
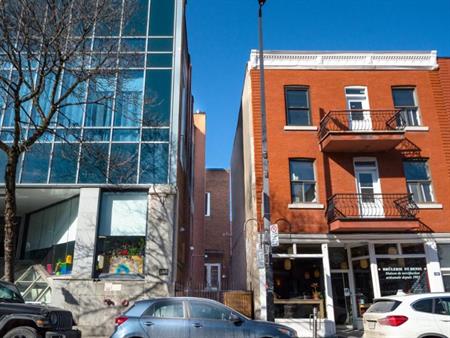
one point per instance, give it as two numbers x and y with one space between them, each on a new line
380 211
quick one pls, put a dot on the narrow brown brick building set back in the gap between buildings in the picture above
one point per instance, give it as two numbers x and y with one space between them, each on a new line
208 254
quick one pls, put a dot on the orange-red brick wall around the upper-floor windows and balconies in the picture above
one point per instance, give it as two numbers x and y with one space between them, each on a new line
334 171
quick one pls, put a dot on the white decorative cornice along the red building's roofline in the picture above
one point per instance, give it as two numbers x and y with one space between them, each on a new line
426 60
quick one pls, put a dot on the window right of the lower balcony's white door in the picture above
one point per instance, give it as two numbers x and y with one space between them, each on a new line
418 180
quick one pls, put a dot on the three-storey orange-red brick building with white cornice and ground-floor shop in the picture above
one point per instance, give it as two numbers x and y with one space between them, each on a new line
359 168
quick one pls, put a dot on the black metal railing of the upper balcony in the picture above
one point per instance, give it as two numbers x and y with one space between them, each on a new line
361 120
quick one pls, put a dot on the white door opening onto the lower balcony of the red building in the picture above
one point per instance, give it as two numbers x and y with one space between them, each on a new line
370 200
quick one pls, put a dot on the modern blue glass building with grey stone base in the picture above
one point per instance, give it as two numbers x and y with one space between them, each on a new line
101 202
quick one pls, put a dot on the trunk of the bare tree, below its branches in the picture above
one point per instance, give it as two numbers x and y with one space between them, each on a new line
10 214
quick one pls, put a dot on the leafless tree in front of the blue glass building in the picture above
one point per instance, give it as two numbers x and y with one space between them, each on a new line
46 67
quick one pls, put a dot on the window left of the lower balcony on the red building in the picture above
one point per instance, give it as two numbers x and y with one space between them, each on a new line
303 184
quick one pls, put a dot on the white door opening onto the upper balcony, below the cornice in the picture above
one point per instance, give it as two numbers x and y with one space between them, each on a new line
358 105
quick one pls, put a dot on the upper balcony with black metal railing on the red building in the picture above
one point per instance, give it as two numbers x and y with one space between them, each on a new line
361 130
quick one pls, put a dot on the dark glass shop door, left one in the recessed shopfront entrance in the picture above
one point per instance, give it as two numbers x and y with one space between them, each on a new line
342 298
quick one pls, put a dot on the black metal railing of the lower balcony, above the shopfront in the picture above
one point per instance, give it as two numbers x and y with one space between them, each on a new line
363 206
